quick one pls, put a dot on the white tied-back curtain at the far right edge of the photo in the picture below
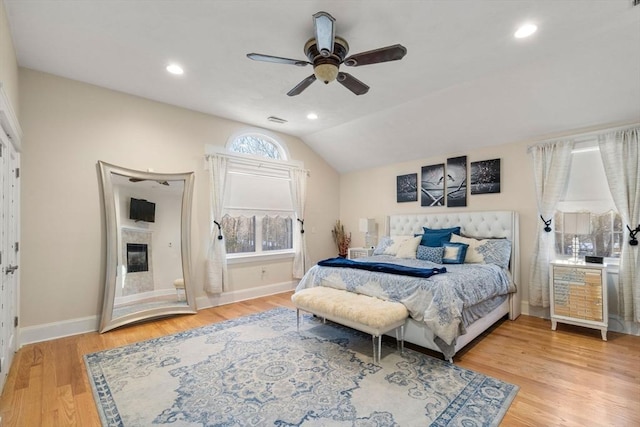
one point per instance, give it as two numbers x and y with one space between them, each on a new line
621 159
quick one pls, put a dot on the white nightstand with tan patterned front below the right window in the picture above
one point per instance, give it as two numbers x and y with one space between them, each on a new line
579 295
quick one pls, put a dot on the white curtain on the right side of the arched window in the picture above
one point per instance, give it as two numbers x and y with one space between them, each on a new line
298 184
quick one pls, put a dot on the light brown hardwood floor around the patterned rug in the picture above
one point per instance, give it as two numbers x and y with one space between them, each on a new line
569 377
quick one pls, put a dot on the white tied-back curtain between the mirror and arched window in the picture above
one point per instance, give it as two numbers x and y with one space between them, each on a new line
217 254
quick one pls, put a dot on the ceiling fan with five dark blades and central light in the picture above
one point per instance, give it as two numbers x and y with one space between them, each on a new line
326 52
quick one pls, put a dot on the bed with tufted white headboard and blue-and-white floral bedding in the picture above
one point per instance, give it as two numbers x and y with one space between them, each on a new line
448 310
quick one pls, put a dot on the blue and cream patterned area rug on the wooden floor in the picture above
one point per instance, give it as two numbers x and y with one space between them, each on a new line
259 371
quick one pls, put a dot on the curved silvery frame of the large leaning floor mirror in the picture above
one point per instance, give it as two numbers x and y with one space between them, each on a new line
109 174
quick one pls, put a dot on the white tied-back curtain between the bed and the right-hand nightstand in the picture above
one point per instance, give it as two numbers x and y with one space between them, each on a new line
551 166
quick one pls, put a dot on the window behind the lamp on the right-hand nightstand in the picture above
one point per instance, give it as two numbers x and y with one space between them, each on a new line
588 191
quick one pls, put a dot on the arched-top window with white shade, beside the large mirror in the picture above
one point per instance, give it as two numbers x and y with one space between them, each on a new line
259 214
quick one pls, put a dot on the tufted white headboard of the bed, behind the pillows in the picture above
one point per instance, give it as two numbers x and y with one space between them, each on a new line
496 224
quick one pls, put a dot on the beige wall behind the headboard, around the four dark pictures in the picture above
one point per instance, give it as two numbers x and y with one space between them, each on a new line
372 193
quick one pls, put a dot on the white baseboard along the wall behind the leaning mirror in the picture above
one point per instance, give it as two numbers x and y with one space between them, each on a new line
50 331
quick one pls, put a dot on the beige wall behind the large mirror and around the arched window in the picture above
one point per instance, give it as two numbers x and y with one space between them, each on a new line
68 126
